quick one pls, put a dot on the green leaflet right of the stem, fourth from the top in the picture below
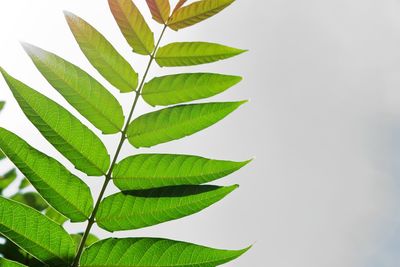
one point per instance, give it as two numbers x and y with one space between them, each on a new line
177 122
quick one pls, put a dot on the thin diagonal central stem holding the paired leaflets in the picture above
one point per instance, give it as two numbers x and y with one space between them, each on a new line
108 176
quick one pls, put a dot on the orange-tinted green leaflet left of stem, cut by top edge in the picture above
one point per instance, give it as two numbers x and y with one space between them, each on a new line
133 26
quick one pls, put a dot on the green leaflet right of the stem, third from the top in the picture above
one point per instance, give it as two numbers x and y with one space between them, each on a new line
181 88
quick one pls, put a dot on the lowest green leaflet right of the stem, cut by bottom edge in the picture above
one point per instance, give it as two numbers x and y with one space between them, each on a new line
153 252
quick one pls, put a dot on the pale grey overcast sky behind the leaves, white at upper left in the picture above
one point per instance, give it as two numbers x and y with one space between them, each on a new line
323 77
